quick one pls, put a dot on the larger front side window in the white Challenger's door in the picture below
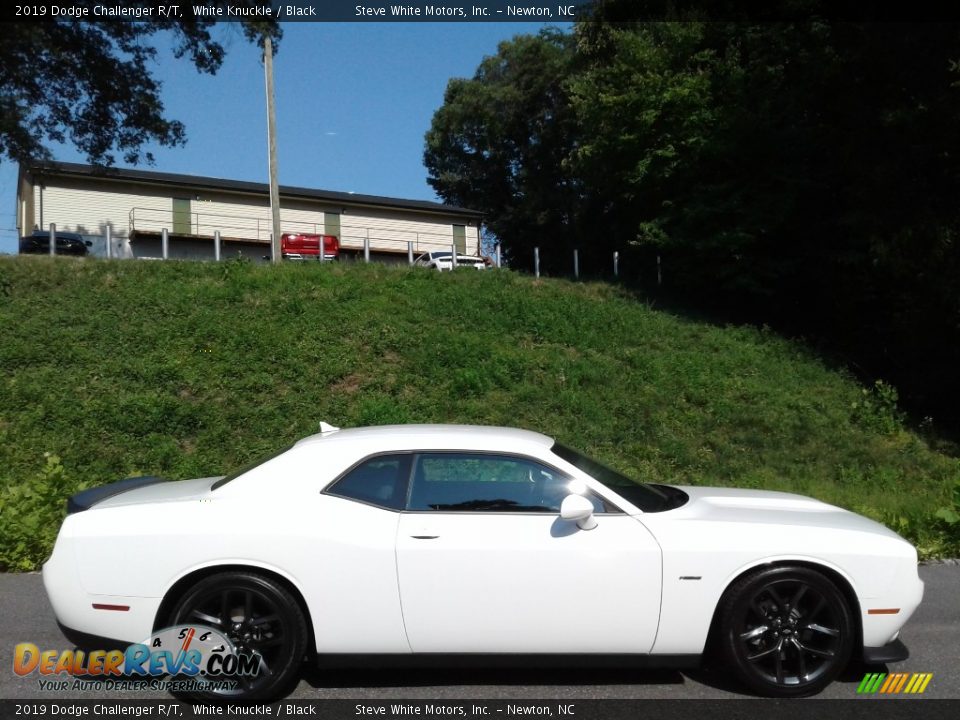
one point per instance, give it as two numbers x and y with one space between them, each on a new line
476 482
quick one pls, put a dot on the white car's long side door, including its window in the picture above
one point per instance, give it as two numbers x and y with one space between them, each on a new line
486 564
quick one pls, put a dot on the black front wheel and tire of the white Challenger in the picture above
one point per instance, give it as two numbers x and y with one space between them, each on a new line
786 631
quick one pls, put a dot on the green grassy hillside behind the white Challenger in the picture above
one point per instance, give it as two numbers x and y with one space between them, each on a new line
111 369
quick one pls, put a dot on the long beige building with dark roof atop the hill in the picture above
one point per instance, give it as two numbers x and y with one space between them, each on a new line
137 205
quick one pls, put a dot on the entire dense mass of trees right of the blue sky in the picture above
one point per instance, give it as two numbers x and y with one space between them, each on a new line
803 174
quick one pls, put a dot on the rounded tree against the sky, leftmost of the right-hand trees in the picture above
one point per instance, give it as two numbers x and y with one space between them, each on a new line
500 143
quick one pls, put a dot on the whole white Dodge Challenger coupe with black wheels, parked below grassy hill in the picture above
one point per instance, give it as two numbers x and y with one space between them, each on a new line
403 540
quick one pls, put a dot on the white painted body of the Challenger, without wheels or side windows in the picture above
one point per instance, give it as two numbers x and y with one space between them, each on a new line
378 580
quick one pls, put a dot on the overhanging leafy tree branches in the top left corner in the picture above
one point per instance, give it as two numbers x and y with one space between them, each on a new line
88 83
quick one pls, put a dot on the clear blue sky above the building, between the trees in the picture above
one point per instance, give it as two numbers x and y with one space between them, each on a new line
353 103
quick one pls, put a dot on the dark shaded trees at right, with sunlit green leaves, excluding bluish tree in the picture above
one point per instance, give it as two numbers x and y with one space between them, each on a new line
802 174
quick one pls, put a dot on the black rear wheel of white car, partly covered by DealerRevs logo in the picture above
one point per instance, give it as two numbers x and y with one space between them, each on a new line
259 616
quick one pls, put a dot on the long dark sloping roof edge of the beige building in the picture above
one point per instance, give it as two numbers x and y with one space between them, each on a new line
242 186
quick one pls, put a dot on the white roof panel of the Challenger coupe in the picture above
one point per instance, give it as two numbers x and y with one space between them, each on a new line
433 436
